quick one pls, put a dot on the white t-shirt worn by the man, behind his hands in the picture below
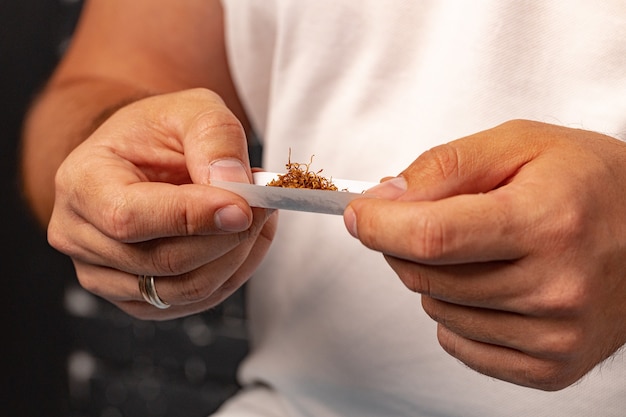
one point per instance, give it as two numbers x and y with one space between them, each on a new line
366 86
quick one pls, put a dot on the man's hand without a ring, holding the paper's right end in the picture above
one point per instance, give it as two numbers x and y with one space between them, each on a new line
516 238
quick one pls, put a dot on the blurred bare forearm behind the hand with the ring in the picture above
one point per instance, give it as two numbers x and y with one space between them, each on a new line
62 117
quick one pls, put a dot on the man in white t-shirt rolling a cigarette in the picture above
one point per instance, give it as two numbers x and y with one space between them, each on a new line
513 236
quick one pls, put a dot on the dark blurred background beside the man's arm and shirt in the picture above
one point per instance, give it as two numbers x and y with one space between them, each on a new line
65 352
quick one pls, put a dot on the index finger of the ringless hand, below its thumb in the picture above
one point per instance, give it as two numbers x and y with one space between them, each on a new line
453 230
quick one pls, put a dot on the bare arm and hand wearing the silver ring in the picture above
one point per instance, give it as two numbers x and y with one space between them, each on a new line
132 196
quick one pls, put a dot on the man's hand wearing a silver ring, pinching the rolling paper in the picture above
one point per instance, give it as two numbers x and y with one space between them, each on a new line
135 199
